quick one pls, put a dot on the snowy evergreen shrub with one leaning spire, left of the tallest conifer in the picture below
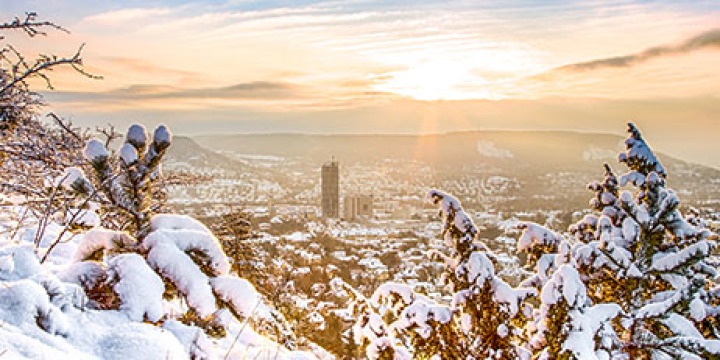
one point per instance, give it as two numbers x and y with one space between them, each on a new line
484 321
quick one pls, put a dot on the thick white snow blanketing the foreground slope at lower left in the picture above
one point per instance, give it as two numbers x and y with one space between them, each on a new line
46 314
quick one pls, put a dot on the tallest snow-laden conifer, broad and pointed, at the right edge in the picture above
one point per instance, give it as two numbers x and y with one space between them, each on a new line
639 261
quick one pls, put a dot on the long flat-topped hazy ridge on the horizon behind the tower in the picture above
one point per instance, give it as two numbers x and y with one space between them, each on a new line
550 149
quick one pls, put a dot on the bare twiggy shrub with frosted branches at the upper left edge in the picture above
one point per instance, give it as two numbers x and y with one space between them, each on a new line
32 152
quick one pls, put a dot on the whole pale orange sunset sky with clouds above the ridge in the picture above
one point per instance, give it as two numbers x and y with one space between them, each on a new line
242 66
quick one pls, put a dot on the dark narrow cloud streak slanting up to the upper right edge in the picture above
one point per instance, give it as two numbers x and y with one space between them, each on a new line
709 39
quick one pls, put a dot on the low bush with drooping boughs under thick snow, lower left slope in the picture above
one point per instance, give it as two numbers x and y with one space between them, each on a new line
178 271
